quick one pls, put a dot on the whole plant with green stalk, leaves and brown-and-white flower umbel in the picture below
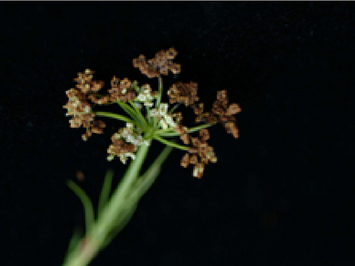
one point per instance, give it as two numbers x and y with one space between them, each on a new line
147 114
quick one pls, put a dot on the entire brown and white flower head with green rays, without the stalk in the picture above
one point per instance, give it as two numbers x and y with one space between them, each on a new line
158 120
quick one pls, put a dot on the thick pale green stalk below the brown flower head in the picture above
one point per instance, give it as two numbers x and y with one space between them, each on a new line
118 210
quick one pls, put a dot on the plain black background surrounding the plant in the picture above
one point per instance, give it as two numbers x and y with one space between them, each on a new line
280 195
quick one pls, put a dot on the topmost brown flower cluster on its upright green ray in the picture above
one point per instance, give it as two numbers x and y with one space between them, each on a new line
161 64
